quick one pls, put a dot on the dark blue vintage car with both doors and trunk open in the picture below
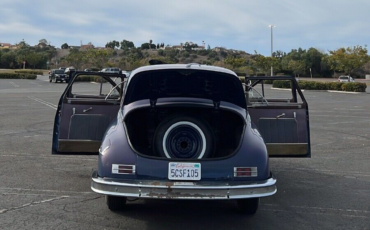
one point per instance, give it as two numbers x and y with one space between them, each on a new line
182 132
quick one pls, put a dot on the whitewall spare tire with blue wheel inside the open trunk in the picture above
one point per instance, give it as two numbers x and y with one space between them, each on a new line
183 137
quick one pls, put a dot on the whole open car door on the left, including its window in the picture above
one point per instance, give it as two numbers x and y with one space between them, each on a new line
88 105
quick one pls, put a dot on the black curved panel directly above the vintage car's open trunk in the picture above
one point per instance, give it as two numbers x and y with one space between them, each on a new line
185 83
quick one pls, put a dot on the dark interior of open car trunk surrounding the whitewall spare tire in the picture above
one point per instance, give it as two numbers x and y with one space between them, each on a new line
226 128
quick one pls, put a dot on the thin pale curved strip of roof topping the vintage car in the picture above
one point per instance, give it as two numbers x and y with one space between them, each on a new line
192 66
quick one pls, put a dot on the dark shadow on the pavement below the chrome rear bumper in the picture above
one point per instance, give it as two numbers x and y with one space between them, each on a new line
188 214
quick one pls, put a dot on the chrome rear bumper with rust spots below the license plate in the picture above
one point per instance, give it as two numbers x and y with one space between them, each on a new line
183 190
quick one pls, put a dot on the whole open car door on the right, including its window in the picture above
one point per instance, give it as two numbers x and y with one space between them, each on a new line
281 115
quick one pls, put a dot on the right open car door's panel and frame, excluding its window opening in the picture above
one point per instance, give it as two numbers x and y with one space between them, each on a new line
283 124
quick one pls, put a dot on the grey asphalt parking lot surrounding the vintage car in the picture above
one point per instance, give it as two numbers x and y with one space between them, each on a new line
43 191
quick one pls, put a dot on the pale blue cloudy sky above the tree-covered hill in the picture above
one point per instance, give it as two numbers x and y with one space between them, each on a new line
234 24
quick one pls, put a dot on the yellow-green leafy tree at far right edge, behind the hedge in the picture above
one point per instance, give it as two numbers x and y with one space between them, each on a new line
348 59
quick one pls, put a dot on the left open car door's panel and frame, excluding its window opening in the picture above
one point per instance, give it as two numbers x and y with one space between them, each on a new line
80 123
